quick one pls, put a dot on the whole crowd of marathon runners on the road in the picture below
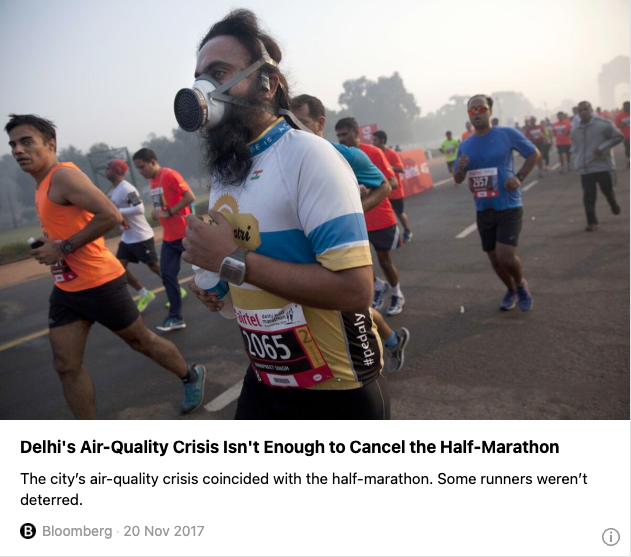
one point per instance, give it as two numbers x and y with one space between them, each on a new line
292 219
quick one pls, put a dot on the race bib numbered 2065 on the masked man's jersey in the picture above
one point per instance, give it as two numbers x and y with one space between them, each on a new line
281 348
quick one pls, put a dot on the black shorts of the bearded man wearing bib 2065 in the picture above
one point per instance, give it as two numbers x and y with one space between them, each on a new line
258 401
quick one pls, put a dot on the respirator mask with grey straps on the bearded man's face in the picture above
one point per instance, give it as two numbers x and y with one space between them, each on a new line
206 104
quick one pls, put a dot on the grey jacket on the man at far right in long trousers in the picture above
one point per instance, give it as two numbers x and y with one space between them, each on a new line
600 134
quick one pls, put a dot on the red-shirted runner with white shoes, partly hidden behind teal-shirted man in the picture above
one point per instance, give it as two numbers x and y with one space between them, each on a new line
381 223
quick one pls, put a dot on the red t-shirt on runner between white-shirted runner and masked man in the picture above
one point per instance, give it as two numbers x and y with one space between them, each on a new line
167 190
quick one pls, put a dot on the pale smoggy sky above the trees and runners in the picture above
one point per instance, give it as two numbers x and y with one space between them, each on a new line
108 70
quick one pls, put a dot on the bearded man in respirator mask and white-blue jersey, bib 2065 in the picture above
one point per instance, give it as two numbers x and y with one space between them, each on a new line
290 238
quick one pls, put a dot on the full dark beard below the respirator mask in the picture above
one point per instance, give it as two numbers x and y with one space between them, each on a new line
225 152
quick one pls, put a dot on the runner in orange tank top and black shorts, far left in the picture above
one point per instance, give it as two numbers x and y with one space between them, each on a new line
90 282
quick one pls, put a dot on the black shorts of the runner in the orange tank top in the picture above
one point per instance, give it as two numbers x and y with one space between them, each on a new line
110 305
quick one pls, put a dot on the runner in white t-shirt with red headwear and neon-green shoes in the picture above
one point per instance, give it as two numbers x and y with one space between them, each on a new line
137 235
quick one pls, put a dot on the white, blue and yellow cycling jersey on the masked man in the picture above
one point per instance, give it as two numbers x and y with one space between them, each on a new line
300 203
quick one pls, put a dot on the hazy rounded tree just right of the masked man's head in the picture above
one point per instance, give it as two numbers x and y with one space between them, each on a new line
385 102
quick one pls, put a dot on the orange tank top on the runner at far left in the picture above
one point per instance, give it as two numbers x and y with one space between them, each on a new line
93 264
